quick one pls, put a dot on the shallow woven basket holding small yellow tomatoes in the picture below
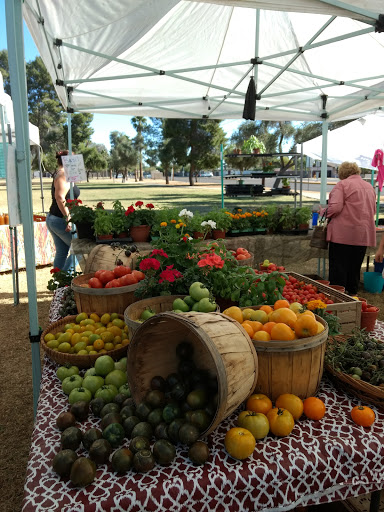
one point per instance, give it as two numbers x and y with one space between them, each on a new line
81 361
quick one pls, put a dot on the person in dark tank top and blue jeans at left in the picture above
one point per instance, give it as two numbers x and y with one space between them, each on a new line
58 217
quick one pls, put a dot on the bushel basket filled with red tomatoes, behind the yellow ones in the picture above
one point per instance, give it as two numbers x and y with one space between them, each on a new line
108 300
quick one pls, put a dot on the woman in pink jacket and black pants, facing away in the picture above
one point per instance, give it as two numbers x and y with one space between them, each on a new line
351 226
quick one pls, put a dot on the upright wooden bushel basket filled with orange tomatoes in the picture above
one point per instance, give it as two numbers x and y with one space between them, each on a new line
291 366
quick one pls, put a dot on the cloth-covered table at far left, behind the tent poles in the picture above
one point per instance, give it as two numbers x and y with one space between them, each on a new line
44 246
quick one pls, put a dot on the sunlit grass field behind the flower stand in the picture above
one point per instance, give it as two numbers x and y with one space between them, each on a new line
203 197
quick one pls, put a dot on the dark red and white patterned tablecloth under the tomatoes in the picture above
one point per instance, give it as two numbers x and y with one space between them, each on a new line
321 461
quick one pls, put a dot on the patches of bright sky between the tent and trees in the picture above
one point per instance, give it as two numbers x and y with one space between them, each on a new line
102 124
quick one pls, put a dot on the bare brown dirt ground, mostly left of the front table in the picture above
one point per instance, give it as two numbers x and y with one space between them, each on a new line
16 402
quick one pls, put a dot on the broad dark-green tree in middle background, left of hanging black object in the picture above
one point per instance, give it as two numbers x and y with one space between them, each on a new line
195 142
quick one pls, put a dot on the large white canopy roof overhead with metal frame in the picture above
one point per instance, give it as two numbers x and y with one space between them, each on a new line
171 58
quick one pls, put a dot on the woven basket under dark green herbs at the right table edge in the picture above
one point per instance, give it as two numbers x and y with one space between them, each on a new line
366 392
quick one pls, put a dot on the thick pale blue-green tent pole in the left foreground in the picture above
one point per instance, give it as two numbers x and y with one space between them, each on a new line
14 24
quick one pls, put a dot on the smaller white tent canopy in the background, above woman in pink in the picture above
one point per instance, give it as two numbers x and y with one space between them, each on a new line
355 142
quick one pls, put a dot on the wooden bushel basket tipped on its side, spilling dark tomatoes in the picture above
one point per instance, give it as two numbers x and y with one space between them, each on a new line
220 345
